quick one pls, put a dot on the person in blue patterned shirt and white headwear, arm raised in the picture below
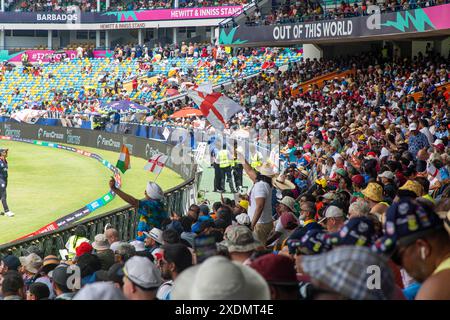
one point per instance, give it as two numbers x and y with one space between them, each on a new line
151 211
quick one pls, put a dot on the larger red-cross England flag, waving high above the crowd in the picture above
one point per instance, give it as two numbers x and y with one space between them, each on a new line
215 106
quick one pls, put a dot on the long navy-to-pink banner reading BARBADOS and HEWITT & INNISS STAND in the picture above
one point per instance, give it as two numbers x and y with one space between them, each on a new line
119 16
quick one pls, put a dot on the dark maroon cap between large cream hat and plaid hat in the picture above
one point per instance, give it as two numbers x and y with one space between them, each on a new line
276 269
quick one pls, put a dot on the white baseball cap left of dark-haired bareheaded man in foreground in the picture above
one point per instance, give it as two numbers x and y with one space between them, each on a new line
142 272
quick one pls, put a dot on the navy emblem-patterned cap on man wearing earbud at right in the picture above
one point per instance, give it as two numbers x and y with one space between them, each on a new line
406 221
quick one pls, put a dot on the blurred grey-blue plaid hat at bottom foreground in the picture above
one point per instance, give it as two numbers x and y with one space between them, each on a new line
344 270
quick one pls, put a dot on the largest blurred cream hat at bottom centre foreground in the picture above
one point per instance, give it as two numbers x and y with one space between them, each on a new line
219 278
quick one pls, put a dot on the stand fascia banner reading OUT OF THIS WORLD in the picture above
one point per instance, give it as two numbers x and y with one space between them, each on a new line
402 22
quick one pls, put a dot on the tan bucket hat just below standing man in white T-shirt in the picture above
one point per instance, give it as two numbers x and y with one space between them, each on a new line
239 238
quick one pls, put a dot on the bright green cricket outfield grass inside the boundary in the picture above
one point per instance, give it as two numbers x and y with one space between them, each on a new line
46 183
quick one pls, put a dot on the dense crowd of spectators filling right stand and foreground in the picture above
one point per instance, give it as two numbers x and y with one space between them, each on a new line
364 185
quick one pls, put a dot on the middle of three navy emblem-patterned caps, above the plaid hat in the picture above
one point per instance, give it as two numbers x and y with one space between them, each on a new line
358 231
